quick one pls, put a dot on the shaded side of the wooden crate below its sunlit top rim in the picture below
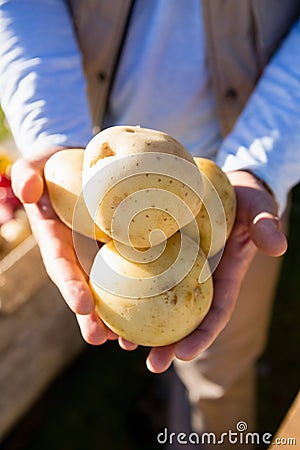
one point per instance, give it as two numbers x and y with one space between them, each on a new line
37 341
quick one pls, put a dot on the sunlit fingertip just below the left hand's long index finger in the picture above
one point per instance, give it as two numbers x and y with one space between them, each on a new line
92 328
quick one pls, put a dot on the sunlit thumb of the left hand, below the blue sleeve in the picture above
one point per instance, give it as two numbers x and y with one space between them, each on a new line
27 181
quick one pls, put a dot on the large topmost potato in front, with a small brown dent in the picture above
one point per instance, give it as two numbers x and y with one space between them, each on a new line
137 181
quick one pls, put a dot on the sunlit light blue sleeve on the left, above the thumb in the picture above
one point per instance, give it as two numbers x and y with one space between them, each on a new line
42 85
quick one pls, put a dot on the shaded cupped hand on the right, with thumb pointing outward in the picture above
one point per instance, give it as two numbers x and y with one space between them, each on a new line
257 227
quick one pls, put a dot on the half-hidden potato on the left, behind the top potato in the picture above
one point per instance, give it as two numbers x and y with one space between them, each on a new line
63 174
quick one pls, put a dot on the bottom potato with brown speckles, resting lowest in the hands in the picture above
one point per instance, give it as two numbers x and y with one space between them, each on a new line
155 302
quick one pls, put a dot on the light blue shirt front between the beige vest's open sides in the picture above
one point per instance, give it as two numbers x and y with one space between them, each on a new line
163 80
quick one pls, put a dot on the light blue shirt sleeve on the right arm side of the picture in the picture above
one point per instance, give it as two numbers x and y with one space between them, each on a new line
266 138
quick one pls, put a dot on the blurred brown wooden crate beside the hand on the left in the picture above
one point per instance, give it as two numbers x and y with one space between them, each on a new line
39 335
